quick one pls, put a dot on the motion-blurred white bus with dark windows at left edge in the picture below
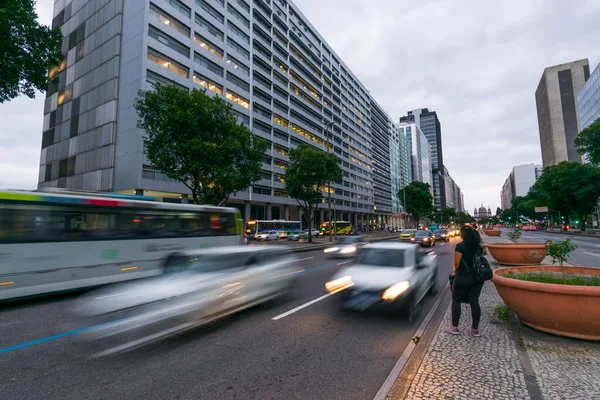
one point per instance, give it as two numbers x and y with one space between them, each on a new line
55 242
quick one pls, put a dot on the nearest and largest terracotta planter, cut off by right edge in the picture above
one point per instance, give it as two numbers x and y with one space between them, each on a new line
565 310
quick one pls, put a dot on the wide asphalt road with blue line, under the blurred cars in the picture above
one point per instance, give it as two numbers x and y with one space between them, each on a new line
318 352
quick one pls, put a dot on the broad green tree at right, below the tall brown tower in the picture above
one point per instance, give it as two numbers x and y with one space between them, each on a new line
574 188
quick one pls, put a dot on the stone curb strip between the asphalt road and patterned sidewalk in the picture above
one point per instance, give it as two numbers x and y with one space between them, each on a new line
401 377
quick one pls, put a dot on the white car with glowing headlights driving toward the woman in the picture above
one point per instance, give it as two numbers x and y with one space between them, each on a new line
387 273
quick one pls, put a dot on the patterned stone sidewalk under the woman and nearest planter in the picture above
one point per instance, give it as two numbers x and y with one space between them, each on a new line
509 360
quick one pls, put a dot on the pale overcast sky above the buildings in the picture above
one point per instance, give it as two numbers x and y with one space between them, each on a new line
477 63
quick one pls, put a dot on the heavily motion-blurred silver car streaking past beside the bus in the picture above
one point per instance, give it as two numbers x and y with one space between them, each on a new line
196 287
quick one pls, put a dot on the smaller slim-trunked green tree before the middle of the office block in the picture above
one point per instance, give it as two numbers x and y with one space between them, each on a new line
309 172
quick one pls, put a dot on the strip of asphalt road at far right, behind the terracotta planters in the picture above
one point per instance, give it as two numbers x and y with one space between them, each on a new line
588 247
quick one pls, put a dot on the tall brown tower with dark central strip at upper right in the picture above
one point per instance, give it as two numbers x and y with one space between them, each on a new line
557 109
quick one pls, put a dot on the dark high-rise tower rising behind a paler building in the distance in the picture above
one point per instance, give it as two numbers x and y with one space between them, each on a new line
430 125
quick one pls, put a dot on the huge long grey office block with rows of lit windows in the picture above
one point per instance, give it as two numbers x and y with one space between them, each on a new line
281 77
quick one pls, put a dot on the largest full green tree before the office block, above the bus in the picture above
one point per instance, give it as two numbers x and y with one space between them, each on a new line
195 139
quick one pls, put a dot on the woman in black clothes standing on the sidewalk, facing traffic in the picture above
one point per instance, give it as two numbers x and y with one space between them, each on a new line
464 287
